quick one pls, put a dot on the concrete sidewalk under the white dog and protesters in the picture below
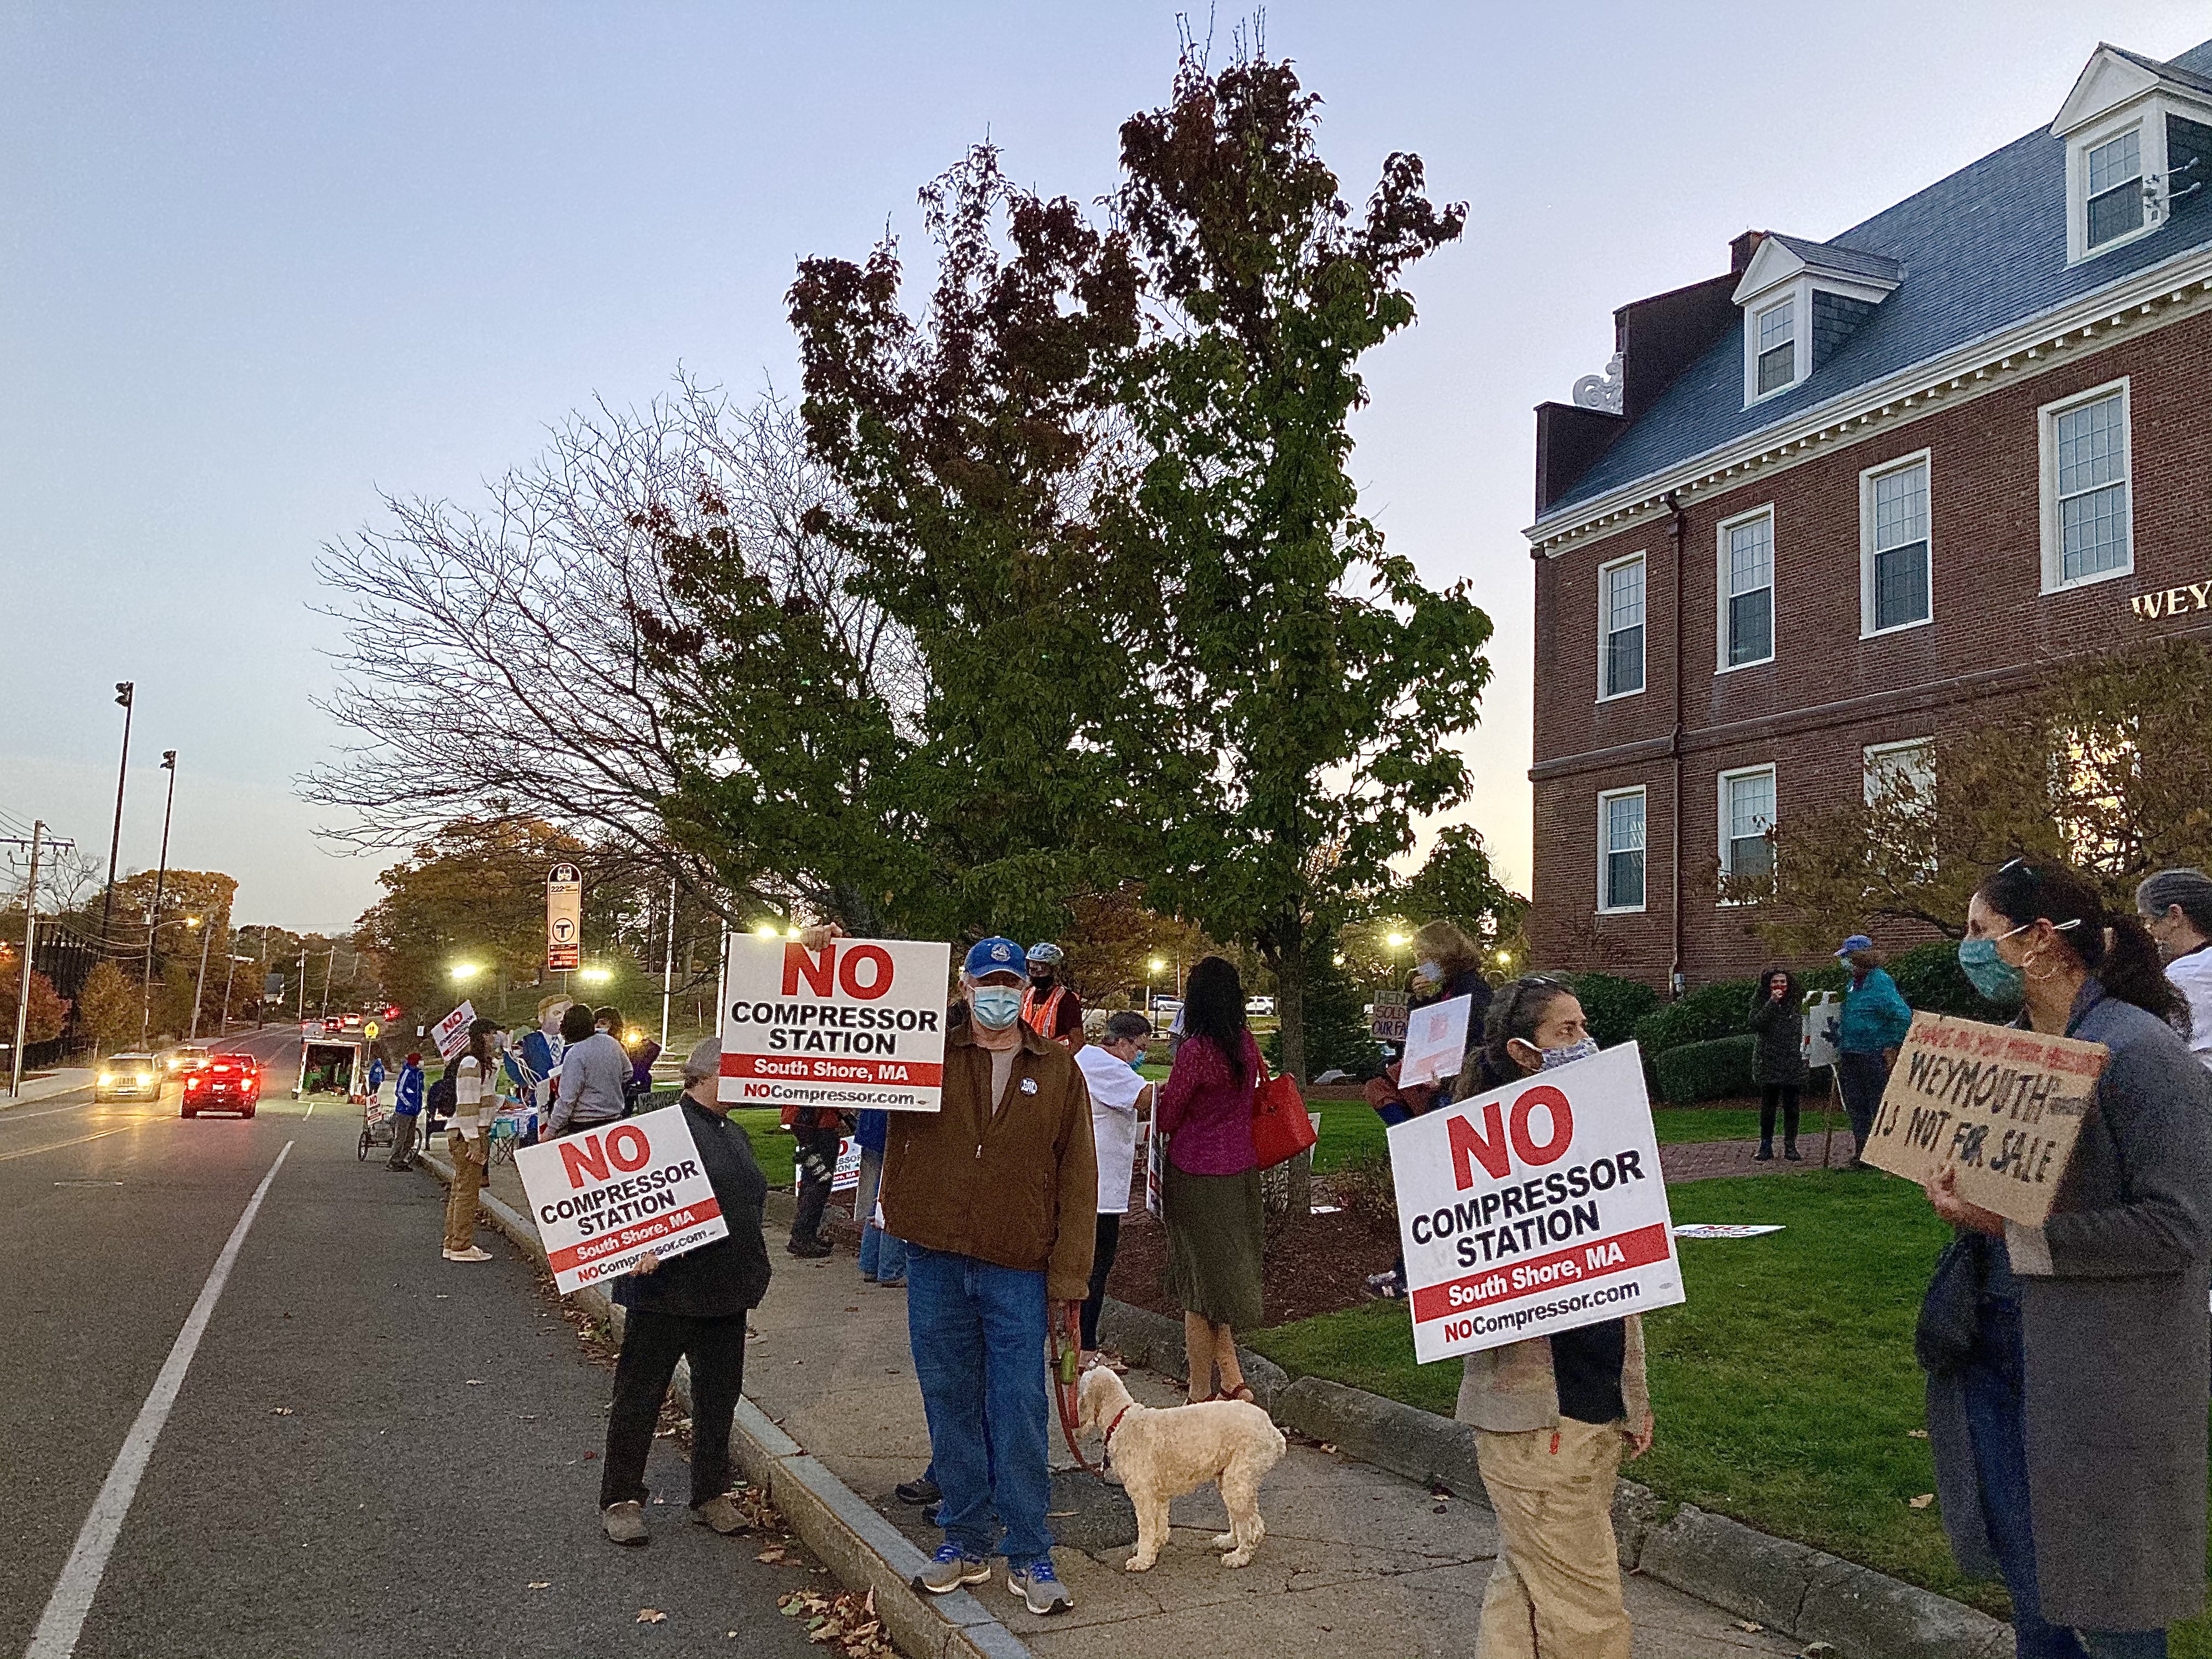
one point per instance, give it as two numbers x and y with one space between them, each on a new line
1357 1561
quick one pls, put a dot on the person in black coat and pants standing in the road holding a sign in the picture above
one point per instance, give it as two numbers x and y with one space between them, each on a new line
691 1306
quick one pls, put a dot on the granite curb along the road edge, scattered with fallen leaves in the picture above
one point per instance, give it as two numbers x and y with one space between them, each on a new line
833 1521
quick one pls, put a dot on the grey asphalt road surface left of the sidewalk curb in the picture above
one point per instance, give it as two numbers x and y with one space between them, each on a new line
375 1452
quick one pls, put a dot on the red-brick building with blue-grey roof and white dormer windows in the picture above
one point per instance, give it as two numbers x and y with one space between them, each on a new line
1848 490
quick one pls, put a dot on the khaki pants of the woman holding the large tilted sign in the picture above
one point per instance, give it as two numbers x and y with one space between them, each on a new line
1556 1592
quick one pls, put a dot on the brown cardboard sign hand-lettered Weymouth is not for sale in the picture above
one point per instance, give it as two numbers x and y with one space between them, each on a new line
2001 1107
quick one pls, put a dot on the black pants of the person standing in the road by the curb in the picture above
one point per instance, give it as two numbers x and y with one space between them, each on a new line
651 1346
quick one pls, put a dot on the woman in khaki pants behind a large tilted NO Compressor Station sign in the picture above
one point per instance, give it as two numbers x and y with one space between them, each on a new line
1552 1412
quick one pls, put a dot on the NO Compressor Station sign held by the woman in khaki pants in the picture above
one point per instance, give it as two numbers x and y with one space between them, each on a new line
1534 1209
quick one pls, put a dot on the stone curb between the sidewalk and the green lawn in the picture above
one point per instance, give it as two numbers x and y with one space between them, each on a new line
1786 1587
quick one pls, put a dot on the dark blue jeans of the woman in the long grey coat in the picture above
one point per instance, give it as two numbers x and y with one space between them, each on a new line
1996 1419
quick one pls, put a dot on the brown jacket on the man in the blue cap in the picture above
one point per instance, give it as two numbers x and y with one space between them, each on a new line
1016 1187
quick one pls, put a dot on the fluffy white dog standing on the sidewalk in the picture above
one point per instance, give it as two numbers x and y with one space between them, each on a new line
1162 1454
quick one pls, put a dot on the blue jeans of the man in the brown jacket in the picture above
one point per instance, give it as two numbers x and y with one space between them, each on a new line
979 1353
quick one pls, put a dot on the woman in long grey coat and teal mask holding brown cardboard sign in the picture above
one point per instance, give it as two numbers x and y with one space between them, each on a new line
2069 1361
